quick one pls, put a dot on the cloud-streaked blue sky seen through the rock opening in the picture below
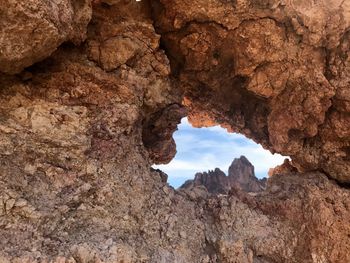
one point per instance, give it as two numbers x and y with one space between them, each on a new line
203 149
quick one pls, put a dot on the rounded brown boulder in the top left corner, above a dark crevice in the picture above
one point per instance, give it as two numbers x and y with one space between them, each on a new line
31 30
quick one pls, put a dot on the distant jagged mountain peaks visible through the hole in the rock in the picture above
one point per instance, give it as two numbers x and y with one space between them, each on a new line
240 176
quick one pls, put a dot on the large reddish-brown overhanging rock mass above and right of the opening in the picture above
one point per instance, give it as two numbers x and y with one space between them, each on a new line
276 71
